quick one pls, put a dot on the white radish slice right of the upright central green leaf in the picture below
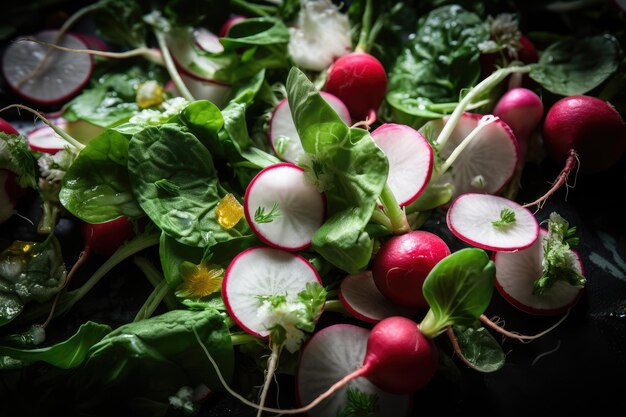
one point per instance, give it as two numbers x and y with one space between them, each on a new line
410 160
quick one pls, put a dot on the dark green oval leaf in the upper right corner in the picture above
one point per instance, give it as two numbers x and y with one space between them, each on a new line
577 66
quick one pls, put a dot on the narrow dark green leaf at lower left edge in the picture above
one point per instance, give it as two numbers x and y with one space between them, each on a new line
67 354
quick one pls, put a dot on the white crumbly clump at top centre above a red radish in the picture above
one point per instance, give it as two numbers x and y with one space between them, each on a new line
320 35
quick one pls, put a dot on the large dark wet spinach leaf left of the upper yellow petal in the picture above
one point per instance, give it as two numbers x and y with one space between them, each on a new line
169 152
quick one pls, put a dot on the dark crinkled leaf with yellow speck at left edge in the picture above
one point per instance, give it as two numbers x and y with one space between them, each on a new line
29 271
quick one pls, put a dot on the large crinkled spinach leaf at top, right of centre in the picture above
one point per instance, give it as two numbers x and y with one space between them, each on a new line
437 64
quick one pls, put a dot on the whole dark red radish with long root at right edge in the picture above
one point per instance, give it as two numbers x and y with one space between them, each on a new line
589 126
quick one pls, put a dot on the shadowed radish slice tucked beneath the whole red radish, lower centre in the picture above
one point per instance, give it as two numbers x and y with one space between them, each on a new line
361 298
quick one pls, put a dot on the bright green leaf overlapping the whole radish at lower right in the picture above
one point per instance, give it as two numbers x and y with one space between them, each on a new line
458 290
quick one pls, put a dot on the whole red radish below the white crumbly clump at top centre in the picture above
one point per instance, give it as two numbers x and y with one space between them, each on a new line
360 81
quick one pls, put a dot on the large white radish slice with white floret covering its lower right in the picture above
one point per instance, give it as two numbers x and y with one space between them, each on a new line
260 272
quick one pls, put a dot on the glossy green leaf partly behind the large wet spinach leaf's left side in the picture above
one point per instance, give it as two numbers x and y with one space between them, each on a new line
96 188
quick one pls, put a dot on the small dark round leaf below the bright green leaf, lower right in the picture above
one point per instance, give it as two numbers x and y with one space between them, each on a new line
479 347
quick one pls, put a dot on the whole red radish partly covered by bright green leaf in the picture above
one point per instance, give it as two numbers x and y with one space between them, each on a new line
402 263
